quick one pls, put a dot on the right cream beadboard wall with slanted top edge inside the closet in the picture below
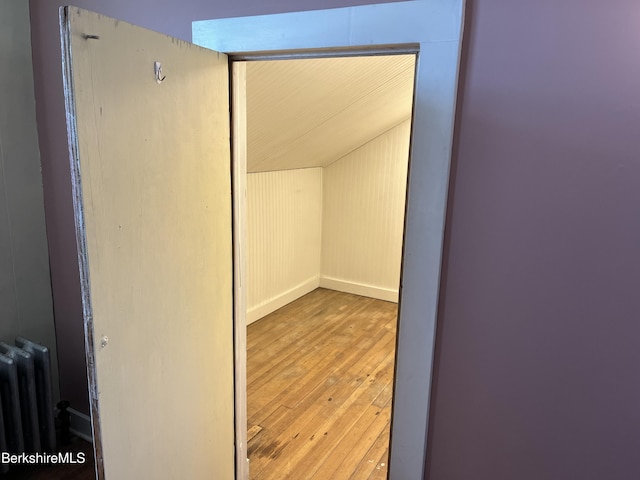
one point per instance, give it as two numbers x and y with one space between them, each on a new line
363 217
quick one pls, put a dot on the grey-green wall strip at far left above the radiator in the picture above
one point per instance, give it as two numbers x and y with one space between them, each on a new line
26 306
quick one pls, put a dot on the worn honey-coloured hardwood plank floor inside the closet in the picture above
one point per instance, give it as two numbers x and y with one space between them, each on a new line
320 380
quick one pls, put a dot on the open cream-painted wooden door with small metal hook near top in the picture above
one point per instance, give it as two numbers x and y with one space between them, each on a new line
148 122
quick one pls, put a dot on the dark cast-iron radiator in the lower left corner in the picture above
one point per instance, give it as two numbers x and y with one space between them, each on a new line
26 397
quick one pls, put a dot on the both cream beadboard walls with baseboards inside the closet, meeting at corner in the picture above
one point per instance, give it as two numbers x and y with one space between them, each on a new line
339 227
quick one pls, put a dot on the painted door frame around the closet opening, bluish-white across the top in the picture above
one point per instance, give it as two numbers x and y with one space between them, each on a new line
434 28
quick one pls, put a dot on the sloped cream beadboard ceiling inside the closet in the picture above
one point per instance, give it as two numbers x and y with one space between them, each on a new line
311 112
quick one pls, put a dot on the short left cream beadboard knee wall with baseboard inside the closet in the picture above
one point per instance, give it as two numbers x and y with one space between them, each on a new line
284 226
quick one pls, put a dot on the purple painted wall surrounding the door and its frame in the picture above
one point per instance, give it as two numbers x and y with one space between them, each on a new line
537 348
